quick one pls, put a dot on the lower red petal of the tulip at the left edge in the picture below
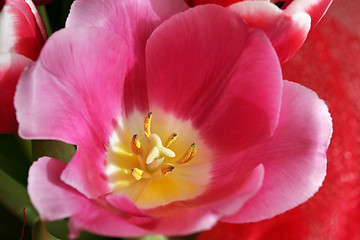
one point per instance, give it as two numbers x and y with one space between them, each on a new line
11 66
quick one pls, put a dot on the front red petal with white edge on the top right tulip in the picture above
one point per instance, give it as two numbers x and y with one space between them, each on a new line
286 32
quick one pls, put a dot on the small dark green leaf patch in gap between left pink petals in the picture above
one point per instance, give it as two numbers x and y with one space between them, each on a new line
51 148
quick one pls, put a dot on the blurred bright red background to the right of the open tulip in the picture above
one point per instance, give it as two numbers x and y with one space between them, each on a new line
329 64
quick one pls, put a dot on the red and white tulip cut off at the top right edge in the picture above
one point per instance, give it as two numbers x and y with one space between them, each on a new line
286 23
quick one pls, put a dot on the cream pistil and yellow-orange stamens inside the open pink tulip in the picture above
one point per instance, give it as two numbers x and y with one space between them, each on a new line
153 156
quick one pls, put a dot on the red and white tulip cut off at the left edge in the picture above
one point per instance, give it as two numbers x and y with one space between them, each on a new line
22 36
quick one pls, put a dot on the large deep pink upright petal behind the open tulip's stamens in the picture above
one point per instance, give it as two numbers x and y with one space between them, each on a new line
206 66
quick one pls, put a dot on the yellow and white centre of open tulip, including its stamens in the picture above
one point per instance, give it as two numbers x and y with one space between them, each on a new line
154 167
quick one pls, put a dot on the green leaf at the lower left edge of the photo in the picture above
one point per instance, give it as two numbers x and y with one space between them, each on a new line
14 197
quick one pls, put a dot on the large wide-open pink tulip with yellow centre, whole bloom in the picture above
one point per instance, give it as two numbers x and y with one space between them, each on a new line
227 139
